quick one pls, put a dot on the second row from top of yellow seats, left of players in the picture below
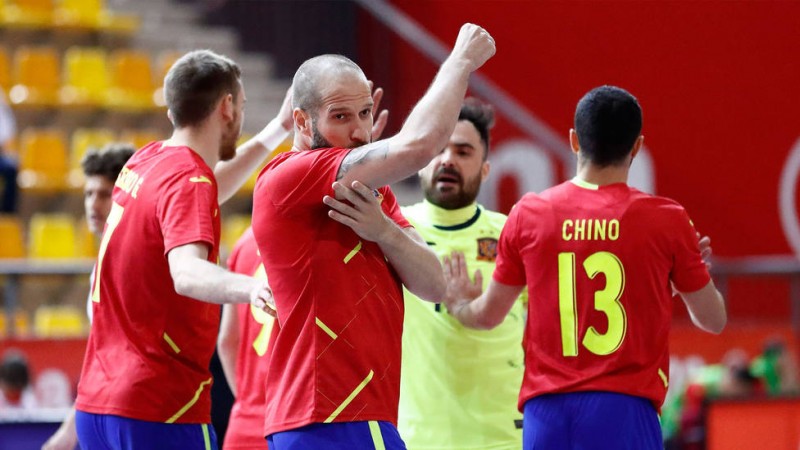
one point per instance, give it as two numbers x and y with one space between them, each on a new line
87 77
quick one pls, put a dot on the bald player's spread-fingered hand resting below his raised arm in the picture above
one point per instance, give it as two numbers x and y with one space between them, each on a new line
360 209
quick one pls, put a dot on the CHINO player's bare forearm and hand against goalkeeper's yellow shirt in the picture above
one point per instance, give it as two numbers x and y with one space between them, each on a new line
465 301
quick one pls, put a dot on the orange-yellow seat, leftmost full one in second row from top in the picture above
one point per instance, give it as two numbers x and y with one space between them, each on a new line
36 77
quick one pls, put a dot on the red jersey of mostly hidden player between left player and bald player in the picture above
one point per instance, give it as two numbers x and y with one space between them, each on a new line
245 428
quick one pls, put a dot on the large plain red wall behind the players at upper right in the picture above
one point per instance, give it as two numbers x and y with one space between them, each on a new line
719 83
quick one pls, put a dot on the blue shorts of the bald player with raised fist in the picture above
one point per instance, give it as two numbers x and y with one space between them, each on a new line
370 435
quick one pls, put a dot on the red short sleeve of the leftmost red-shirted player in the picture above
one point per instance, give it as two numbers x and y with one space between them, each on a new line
187 207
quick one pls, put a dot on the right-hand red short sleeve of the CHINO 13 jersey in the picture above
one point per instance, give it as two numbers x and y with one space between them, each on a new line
689 272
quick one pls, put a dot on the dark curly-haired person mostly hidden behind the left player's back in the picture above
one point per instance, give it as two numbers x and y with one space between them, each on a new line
100 168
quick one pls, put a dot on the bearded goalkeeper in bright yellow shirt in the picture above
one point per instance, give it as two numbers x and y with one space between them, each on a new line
459 386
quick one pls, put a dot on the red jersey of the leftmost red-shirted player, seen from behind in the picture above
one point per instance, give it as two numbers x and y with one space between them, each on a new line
149 348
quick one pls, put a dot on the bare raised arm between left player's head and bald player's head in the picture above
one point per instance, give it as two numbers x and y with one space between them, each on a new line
232 174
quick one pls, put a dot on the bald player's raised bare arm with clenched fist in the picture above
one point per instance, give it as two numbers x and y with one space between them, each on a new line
429 124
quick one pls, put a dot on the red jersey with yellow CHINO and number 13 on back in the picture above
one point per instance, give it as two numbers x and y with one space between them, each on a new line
598 262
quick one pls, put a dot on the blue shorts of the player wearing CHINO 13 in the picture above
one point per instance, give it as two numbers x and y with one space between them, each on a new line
590 421
